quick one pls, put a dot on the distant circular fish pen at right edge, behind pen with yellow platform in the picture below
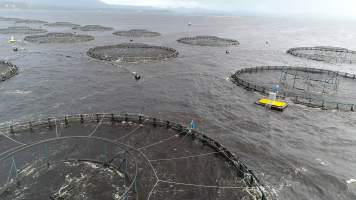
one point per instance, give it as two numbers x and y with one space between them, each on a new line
326 54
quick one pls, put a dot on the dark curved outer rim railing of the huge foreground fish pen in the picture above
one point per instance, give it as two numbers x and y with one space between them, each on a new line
250 179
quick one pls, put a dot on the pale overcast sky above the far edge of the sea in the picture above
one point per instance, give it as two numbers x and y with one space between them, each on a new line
313 7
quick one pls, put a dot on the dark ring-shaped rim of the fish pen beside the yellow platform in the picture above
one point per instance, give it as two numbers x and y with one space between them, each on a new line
298 99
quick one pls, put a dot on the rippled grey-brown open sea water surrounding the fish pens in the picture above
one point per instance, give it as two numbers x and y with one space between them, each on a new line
302 153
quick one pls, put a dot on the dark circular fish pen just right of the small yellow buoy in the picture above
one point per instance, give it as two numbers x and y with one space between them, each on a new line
58 38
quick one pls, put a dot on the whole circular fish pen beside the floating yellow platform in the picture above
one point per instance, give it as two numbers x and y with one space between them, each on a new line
319 88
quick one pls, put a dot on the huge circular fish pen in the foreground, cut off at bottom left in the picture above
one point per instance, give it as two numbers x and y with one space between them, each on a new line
119 156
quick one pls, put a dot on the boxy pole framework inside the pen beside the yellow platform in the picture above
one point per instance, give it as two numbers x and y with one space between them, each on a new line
310 80
